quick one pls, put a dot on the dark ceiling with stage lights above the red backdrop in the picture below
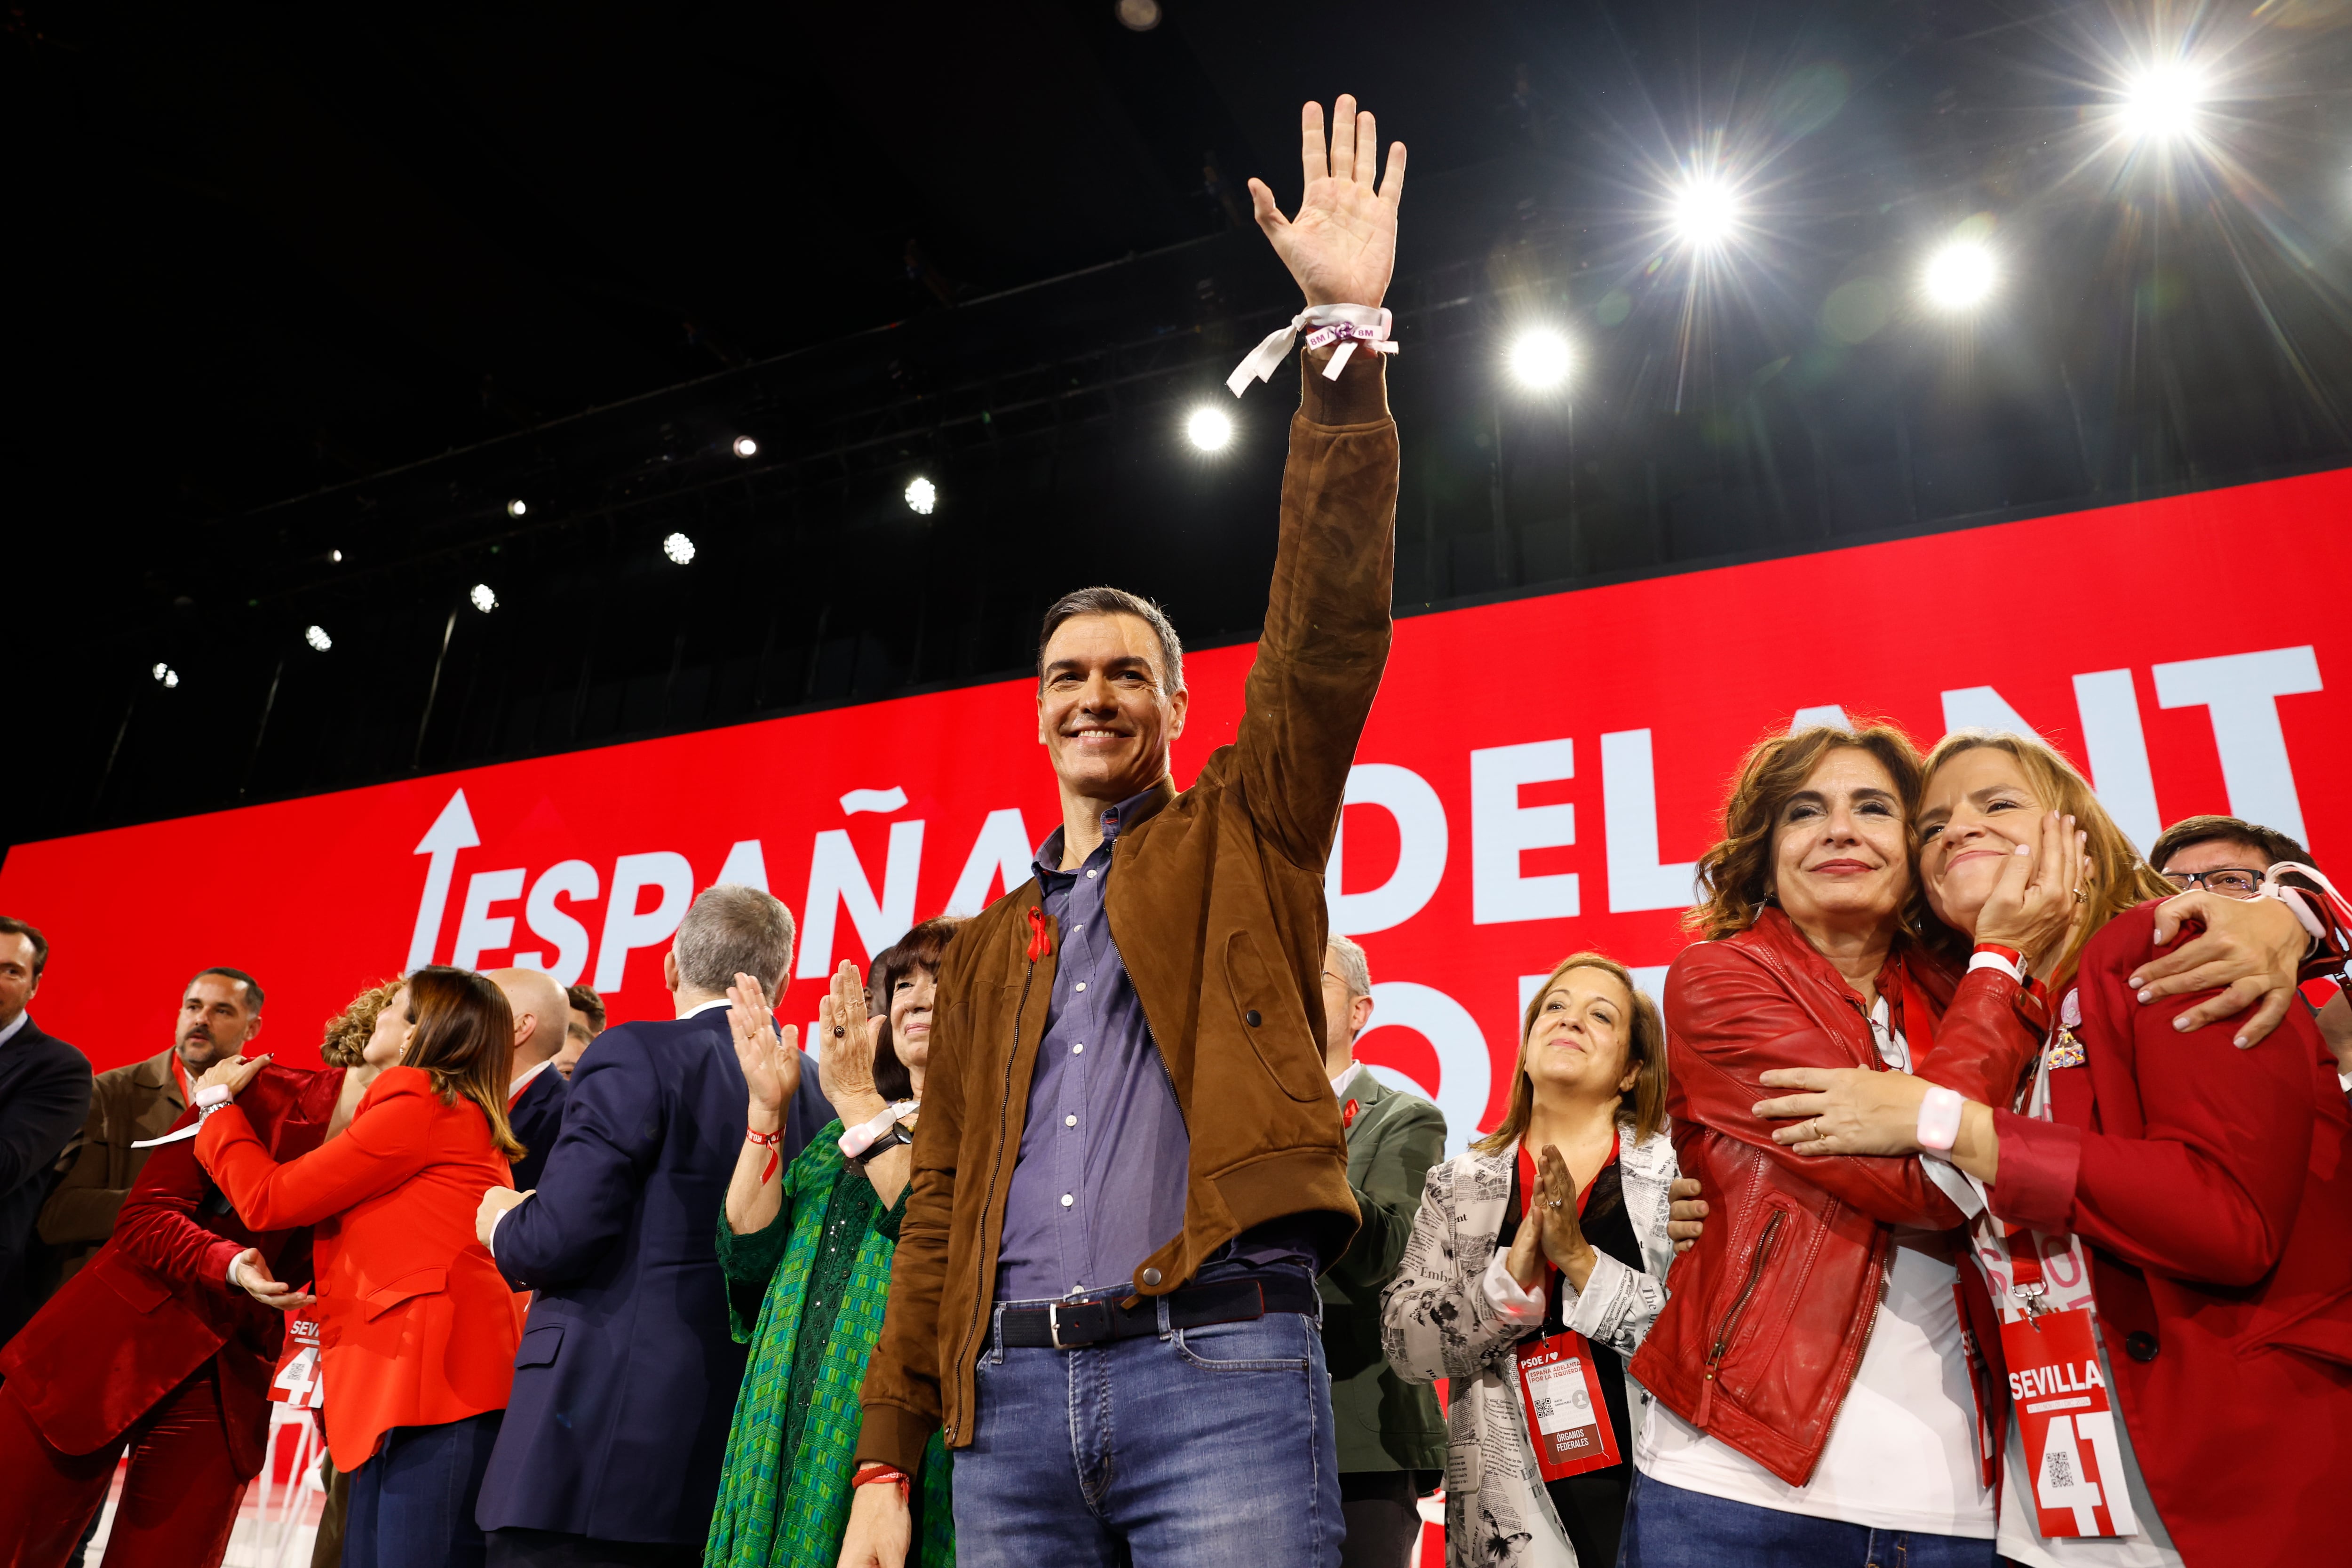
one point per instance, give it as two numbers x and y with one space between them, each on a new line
262 255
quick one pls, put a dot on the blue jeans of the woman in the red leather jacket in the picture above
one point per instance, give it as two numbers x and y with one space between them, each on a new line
1669 1527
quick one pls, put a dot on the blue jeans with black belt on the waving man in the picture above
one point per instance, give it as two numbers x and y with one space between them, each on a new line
1194 1449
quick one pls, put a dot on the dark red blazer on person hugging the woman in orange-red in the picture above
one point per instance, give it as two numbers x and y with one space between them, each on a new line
154 1304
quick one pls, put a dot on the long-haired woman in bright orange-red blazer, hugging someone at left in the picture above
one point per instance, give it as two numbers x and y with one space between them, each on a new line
417 1327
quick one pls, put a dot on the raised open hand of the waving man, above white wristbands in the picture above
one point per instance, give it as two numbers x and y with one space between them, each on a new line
1342 248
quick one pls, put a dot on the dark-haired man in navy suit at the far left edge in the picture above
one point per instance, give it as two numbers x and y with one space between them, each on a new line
44 1104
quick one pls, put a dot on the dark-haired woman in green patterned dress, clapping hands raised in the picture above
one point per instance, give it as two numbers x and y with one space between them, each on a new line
808 1264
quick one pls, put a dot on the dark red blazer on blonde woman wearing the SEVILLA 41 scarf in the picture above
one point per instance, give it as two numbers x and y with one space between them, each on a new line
2217 1195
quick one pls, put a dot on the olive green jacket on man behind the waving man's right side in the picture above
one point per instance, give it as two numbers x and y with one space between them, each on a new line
1384 1423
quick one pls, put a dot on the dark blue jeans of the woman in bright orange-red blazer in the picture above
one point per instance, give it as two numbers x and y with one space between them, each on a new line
413 1503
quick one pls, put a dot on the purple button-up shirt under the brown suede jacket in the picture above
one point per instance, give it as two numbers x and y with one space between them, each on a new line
1104 1158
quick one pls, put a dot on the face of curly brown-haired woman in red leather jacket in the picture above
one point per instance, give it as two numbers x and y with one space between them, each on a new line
1840 855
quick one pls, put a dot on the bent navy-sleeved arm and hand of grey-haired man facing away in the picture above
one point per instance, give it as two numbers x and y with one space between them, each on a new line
615 1123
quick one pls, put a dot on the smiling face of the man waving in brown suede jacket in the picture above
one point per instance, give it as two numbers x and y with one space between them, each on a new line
1104 711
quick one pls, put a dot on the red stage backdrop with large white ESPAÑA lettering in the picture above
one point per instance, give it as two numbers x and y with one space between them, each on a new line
1537 779
